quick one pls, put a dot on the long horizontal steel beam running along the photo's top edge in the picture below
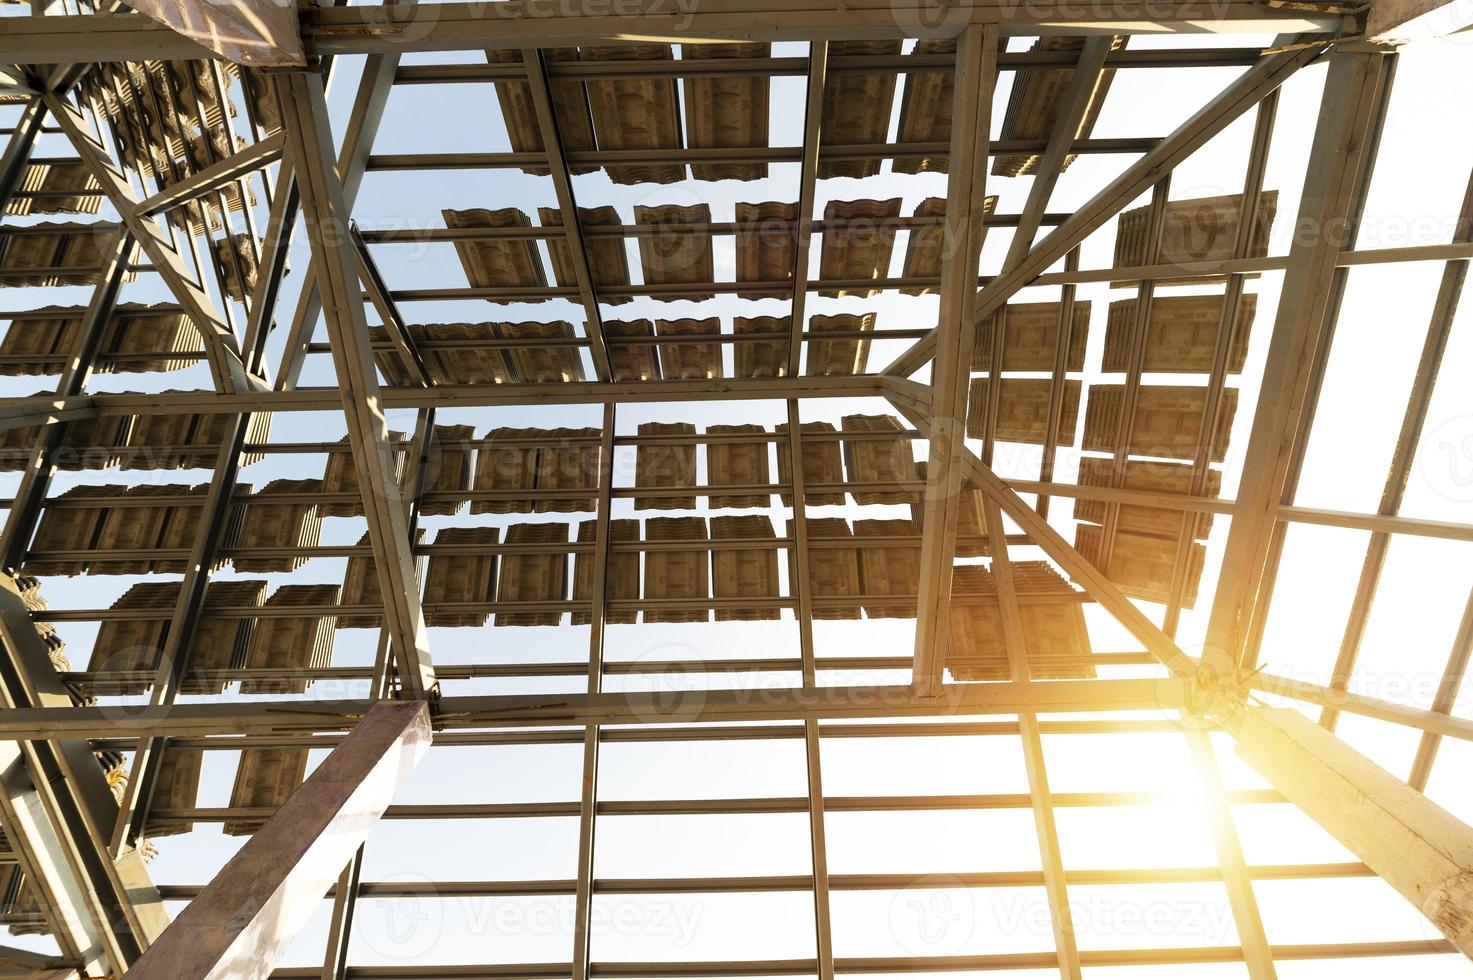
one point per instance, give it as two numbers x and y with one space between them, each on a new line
531 24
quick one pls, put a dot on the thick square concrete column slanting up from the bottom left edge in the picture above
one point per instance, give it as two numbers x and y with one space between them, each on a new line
242 925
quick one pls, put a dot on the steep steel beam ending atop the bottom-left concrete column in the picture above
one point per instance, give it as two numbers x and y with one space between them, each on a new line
323 206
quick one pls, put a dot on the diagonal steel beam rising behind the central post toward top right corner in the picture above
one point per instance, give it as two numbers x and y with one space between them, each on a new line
1244 94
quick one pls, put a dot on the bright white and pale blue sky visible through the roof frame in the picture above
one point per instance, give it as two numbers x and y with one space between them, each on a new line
1419 185
